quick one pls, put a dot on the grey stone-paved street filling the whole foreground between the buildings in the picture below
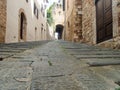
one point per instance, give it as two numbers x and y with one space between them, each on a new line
58 65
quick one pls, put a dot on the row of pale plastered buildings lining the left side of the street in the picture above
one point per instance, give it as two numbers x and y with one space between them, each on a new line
22 21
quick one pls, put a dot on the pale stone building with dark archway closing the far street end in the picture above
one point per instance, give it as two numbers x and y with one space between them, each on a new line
58 16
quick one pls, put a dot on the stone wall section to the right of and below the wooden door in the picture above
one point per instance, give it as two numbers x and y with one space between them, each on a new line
115 41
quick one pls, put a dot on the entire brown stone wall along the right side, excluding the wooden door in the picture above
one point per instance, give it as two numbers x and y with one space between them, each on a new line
87 21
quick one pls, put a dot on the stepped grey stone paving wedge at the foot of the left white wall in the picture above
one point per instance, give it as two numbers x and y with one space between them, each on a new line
7 50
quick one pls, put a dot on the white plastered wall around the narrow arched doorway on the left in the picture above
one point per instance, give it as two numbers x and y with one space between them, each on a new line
12 27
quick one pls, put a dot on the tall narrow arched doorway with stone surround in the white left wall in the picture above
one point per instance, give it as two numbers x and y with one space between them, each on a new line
22 26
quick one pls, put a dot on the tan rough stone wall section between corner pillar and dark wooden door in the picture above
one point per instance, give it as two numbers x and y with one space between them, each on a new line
88 21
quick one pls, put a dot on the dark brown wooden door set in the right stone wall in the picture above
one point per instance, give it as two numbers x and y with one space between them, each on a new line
104 20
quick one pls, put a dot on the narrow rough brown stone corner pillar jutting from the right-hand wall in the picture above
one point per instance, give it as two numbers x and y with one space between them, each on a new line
77 21
